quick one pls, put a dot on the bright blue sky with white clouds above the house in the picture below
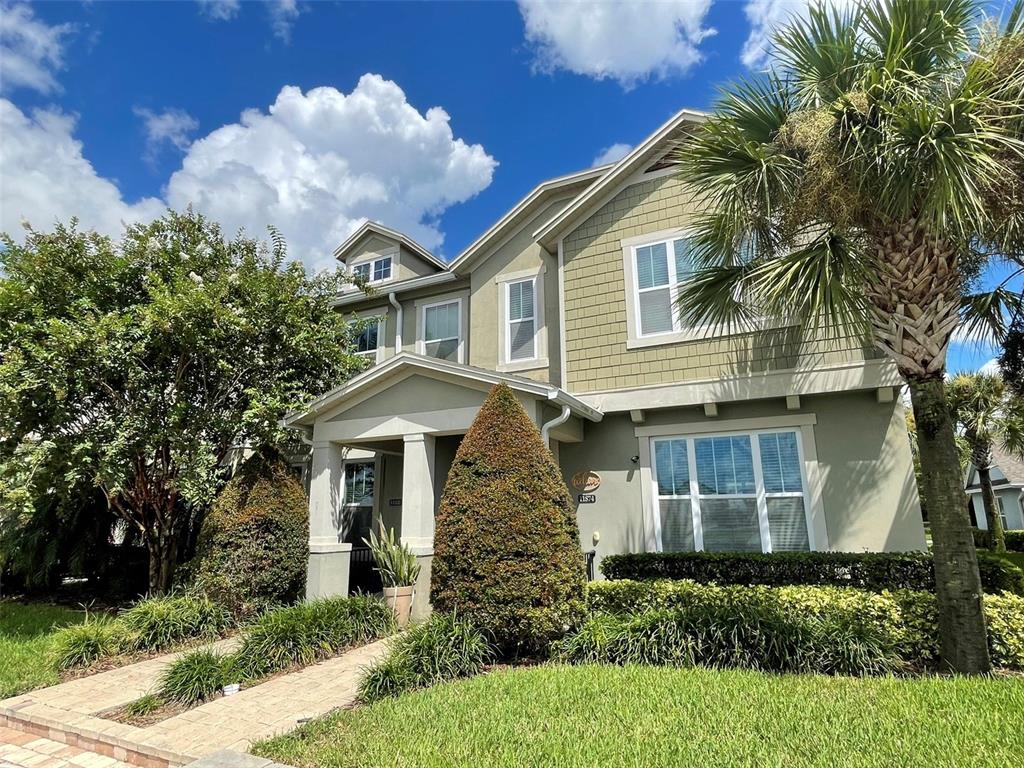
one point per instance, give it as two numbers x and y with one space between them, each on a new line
434 118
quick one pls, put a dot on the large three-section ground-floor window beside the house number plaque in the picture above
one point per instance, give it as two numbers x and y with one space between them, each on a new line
743 492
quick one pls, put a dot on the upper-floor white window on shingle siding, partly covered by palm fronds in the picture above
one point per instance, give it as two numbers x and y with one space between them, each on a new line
659 269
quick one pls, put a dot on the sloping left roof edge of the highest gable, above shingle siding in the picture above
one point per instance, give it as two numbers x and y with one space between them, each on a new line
602 191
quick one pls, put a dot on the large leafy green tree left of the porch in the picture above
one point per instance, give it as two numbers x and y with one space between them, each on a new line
143 363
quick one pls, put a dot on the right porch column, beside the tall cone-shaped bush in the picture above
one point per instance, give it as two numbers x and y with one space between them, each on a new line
418 513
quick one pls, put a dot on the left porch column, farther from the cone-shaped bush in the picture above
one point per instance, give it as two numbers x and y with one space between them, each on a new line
329 558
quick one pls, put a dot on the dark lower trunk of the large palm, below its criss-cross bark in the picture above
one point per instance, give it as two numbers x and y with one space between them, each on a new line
958 586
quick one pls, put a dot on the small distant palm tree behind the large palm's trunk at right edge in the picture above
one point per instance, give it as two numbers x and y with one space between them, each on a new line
987 415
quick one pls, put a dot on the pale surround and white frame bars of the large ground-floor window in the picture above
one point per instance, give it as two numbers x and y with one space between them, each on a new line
818 537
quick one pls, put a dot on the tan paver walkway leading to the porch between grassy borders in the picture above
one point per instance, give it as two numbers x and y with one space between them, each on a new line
231 722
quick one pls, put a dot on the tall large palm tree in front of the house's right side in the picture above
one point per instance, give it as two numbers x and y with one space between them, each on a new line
860 189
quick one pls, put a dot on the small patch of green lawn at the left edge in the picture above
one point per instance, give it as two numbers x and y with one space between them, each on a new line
26 631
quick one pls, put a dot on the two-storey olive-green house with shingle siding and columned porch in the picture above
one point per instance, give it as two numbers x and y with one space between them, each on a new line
670 438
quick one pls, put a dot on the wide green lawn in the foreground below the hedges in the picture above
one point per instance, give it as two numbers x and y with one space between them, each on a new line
579 717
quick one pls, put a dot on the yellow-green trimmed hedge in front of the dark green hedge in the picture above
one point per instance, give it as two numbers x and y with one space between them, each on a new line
907 622
